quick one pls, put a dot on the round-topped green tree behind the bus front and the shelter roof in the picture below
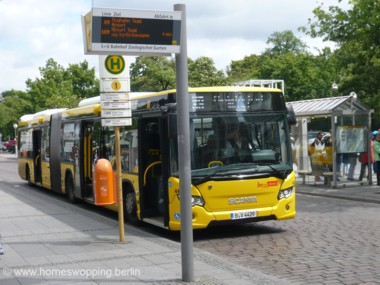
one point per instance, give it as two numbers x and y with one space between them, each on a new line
306 76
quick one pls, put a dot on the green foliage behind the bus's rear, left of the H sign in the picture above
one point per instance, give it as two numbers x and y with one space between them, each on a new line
57 87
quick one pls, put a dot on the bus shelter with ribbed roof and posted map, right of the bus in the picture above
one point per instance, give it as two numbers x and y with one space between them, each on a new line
345 124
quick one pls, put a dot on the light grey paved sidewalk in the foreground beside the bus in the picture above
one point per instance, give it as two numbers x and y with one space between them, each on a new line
47 240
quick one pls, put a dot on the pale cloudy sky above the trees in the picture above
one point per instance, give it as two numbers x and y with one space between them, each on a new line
32 31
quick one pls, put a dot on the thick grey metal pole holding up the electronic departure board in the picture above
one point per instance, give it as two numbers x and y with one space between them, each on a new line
184 153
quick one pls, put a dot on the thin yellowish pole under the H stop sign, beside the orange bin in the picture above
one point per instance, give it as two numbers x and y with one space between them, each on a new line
119 190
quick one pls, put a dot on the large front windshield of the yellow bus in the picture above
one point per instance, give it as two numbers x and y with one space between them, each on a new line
229 144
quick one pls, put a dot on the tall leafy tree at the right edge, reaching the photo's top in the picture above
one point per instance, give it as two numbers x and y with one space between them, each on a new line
356 31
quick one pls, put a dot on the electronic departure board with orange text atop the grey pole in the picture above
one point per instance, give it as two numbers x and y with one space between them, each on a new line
117 31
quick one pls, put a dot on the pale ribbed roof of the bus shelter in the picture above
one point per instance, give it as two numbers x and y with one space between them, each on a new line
328 106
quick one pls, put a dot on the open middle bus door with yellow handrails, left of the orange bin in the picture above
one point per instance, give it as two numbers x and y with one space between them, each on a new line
90 148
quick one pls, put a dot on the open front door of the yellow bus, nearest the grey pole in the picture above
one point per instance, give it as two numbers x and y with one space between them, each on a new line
151 198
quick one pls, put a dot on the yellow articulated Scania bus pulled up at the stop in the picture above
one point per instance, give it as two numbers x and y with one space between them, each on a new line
241 159
